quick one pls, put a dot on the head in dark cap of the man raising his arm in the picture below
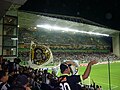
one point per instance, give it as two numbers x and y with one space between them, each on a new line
65 68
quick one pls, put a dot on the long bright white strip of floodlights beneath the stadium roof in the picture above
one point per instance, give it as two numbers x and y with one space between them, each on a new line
50 27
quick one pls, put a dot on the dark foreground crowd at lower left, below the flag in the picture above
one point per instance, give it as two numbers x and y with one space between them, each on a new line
16 77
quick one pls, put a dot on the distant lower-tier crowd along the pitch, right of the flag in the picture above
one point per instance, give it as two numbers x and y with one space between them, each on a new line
84 57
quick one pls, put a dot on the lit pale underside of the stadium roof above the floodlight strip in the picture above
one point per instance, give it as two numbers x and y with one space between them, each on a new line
30 21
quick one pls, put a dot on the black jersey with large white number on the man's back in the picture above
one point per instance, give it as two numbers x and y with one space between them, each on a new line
70 82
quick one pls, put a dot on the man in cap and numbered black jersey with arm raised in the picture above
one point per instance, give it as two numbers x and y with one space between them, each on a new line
70 82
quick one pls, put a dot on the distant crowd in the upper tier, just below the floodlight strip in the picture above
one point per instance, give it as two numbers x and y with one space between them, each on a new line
26 36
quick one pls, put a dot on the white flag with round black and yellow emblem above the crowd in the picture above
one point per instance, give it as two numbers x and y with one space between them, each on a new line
40 56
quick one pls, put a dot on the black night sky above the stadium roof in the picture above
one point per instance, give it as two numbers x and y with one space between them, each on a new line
103 13
